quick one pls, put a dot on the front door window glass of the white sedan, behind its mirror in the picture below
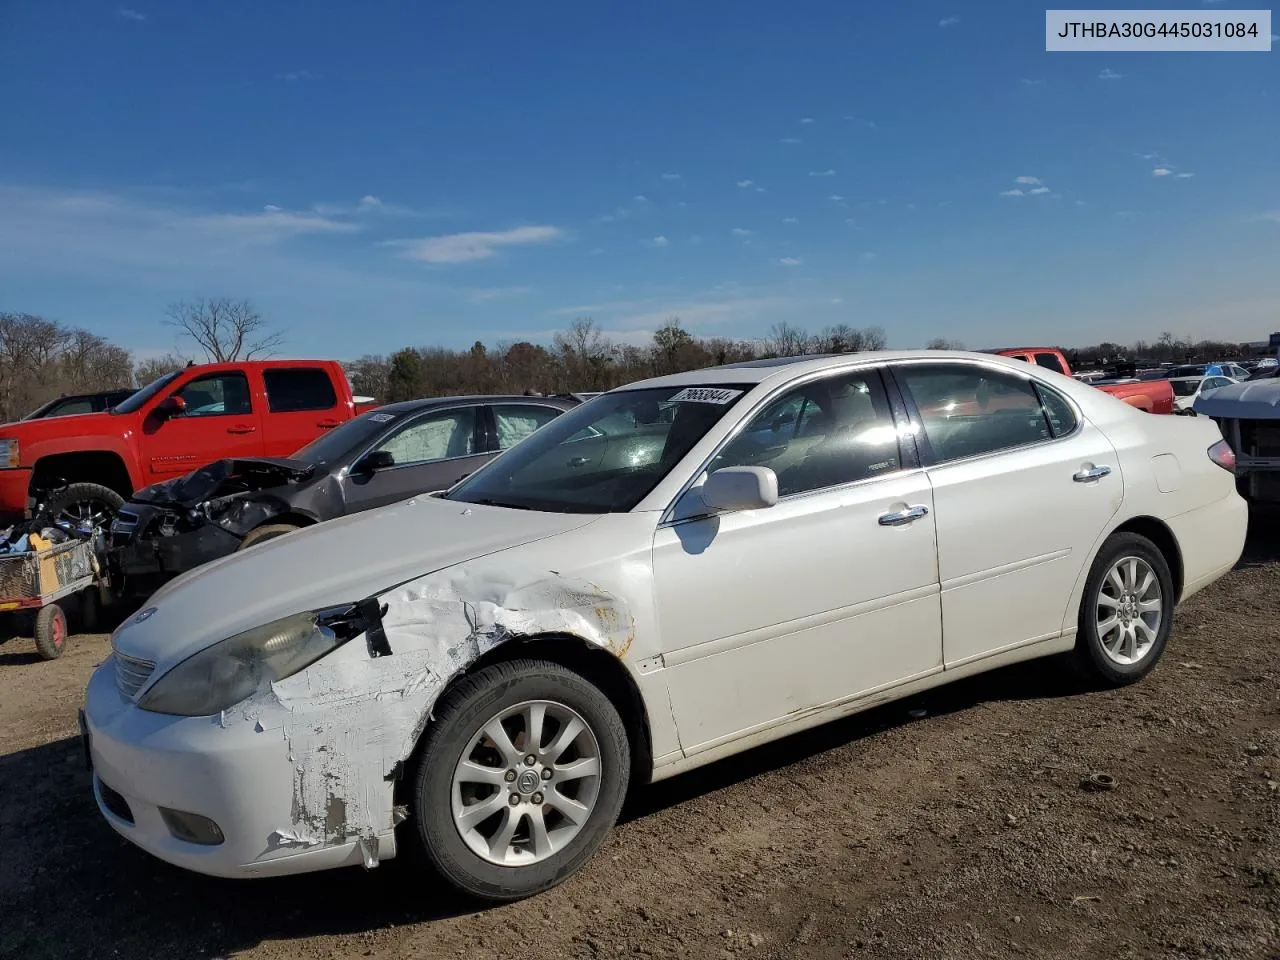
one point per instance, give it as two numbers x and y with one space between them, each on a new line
826 433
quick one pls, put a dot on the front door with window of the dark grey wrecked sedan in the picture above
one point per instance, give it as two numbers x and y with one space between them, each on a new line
433 451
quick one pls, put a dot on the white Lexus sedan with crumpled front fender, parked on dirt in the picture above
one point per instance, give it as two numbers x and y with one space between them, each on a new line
674 573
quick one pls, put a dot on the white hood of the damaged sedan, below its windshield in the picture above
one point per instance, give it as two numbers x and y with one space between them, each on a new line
336 563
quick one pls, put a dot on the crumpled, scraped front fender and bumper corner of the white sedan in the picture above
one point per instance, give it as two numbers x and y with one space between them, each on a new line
351 720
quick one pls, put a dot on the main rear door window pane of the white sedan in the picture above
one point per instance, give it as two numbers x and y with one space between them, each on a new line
970 410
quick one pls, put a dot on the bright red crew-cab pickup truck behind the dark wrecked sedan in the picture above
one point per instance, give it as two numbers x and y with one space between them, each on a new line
170 428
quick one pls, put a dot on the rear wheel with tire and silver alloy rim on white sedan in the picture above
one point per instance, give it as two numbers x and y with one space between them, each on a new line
1127 611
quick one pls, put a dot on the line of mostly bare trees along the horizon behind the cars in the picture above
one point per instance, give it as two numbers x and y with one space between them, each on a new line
43 359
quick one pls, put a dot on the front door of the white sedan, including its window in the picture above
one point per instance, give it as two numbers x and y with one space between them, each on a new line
829 595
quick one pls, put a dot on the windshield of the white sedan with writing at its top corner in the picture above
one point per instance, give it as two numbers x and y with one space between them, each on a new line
604 458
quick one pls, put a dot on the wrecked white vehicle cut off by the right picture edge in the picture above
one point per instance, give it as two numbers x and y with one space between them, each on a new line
1249 417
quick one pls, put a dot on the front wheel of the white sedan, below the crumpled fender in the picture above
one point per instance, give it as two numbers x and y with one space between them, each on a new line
520 780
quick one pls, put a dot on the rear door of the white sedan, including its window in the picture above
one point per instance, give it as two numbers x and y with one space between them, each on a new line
1023 487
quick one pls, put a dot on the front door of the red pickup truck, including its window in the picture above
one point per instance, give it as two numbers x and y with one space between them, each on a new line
221 422
